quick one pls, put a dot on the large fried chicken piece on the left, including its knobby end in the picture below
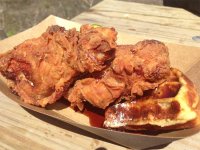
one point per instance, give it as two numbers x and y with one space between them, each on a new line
43 68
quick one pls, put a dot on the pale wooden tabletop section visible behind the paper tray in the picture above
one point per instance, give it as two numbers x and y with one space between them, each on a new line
155 22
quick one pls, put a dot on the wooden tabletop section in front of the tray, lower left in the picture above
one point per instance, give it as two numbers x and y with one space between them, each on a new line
20 129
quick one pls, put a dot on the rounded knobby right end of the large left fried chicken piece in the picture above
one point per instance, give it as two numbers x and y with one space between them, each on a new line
95 46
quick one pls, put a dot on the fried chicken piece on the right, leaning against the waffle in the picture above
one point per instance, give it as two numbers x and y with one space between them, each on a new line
135 69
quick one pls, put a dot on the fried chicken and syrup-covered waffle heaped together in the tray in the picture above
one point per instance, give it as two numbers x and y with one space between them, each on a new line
133 84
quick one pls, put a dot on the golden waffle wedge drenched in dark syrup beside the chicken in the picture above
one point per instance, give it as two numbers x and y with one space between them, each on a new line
173 105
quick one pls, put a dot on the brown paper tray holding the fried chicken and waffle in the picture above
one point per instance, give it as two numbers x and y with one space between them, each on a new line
186 58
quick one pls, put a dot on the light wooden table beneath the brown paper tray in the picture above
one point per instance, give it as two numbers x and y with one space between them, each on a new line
24 129
